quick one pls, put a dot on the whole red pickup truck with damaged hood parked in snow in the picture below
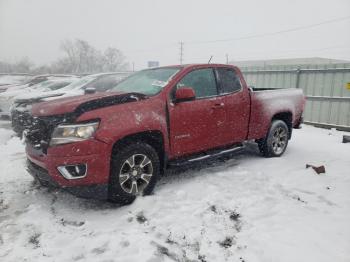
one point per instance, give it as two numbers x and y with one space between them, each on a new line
115 145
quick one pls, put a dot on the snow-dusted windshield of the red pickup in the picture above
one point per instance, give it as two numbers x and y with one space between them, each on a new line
148 82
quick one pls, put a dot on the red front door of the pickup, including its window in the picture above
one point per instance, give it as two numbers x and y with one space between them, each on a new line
196 125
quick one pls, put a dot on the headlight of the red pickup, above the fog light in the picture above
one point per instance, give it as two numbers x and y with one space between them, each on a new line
65 133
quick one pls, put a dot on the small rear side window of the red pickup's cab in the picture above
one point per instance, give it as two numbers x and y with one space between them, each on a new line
229 80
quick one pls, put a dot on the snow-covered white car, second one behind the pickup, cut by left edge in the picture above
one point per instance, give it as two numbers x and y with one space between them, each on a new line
7 98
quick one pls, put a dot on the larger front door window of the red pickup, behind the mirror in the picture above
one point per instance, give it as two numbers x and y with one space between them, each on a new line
202 81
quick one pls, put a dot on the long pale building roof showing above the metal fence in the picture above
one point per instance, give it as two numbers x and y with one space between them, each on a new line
288 61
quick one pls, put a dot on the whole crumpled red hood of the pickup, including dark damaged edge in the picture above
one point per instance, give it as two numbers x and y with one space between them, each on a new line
83 103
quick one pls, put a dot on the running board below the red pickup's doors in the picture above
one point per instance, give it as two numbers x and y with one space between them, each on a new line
206 156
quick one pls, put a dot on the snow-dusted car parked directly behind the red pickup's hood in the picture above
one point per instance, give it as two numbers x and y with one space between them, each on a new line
20 111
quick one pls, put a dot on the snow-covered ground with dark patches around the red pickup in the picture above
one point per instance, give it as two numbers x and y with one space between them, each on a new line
247 208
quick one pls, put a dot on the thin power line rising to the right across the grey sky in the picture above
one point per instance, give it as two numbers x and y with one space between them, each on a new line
272 33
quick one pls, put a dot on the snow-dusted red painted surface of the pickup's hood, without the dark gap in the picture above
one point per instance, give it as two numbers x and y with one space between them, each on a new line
70 104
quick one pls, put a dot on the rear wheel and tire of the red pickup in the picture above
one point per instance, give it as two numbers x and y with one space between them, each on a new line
276 141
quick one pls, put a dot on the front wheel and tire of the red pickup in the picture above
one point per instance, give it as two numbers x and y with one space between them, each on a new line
134 171
